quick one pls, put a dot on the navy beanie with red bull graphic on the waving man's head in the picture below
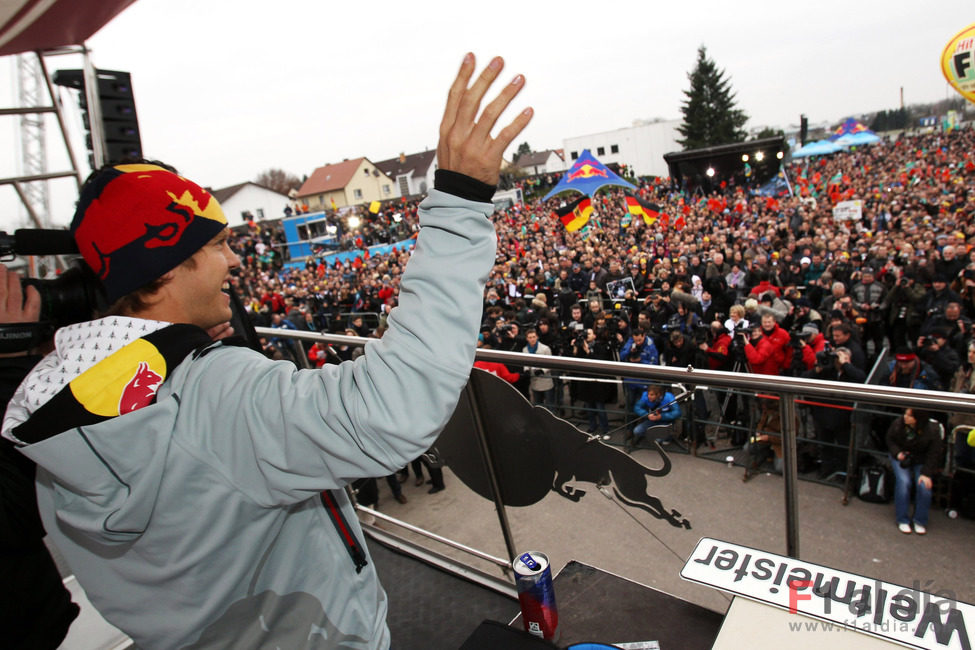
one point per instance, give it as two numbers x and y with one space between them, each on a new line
134 223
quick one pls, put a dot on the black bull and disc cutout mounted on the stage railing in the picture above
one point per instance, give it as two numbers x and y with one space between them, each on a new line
534 452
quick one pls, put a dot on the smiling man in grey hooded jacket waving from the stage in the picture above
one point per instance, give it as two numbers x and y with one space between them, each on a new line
195 488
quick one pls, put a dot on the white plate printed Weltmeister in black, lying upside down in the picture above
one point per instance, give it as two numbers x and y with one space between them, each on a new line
910 617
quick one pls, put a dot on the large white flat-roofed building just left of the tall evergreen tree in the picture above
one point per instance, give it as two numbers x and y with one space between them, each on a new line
641 146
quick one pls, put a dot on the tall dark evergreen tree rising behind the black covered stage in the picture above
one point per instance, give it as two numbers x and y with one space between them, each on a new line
710 115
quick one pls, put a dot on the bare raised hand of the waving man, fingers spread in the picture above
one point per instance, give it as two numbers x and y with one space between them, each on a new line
466 145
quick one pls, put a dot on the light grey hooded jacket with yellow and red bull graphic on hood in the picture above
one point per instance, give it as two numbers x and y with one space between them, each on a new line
187 494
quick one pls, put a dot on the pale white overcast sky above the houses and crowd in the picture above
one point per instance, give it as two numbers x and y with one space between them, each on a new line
228 88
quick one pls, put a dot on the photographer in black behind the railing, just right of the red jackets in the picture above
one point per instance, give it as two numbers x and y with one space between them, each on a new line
832 424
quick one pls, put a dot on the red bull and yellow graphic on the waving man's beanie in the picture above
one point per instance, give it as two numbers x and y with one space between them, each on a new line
147 205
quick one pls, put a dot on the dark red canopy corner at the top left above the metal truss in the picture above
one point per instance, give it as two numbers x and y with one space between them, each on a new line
28 25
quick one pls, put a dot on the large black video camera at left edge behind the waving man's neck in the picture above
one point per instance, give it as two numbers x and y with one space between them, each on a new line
74 296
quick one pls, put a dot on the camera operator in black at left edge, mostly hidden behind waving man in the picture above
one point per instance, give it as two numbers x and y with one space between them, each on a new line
38 610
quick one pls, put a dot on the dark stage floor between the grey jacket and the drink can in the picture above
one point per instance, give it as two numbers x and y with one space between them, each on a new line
430 609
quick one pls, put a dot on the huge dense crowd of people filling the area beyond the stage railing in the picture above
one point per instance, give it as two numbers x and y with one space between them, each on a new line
730 280
